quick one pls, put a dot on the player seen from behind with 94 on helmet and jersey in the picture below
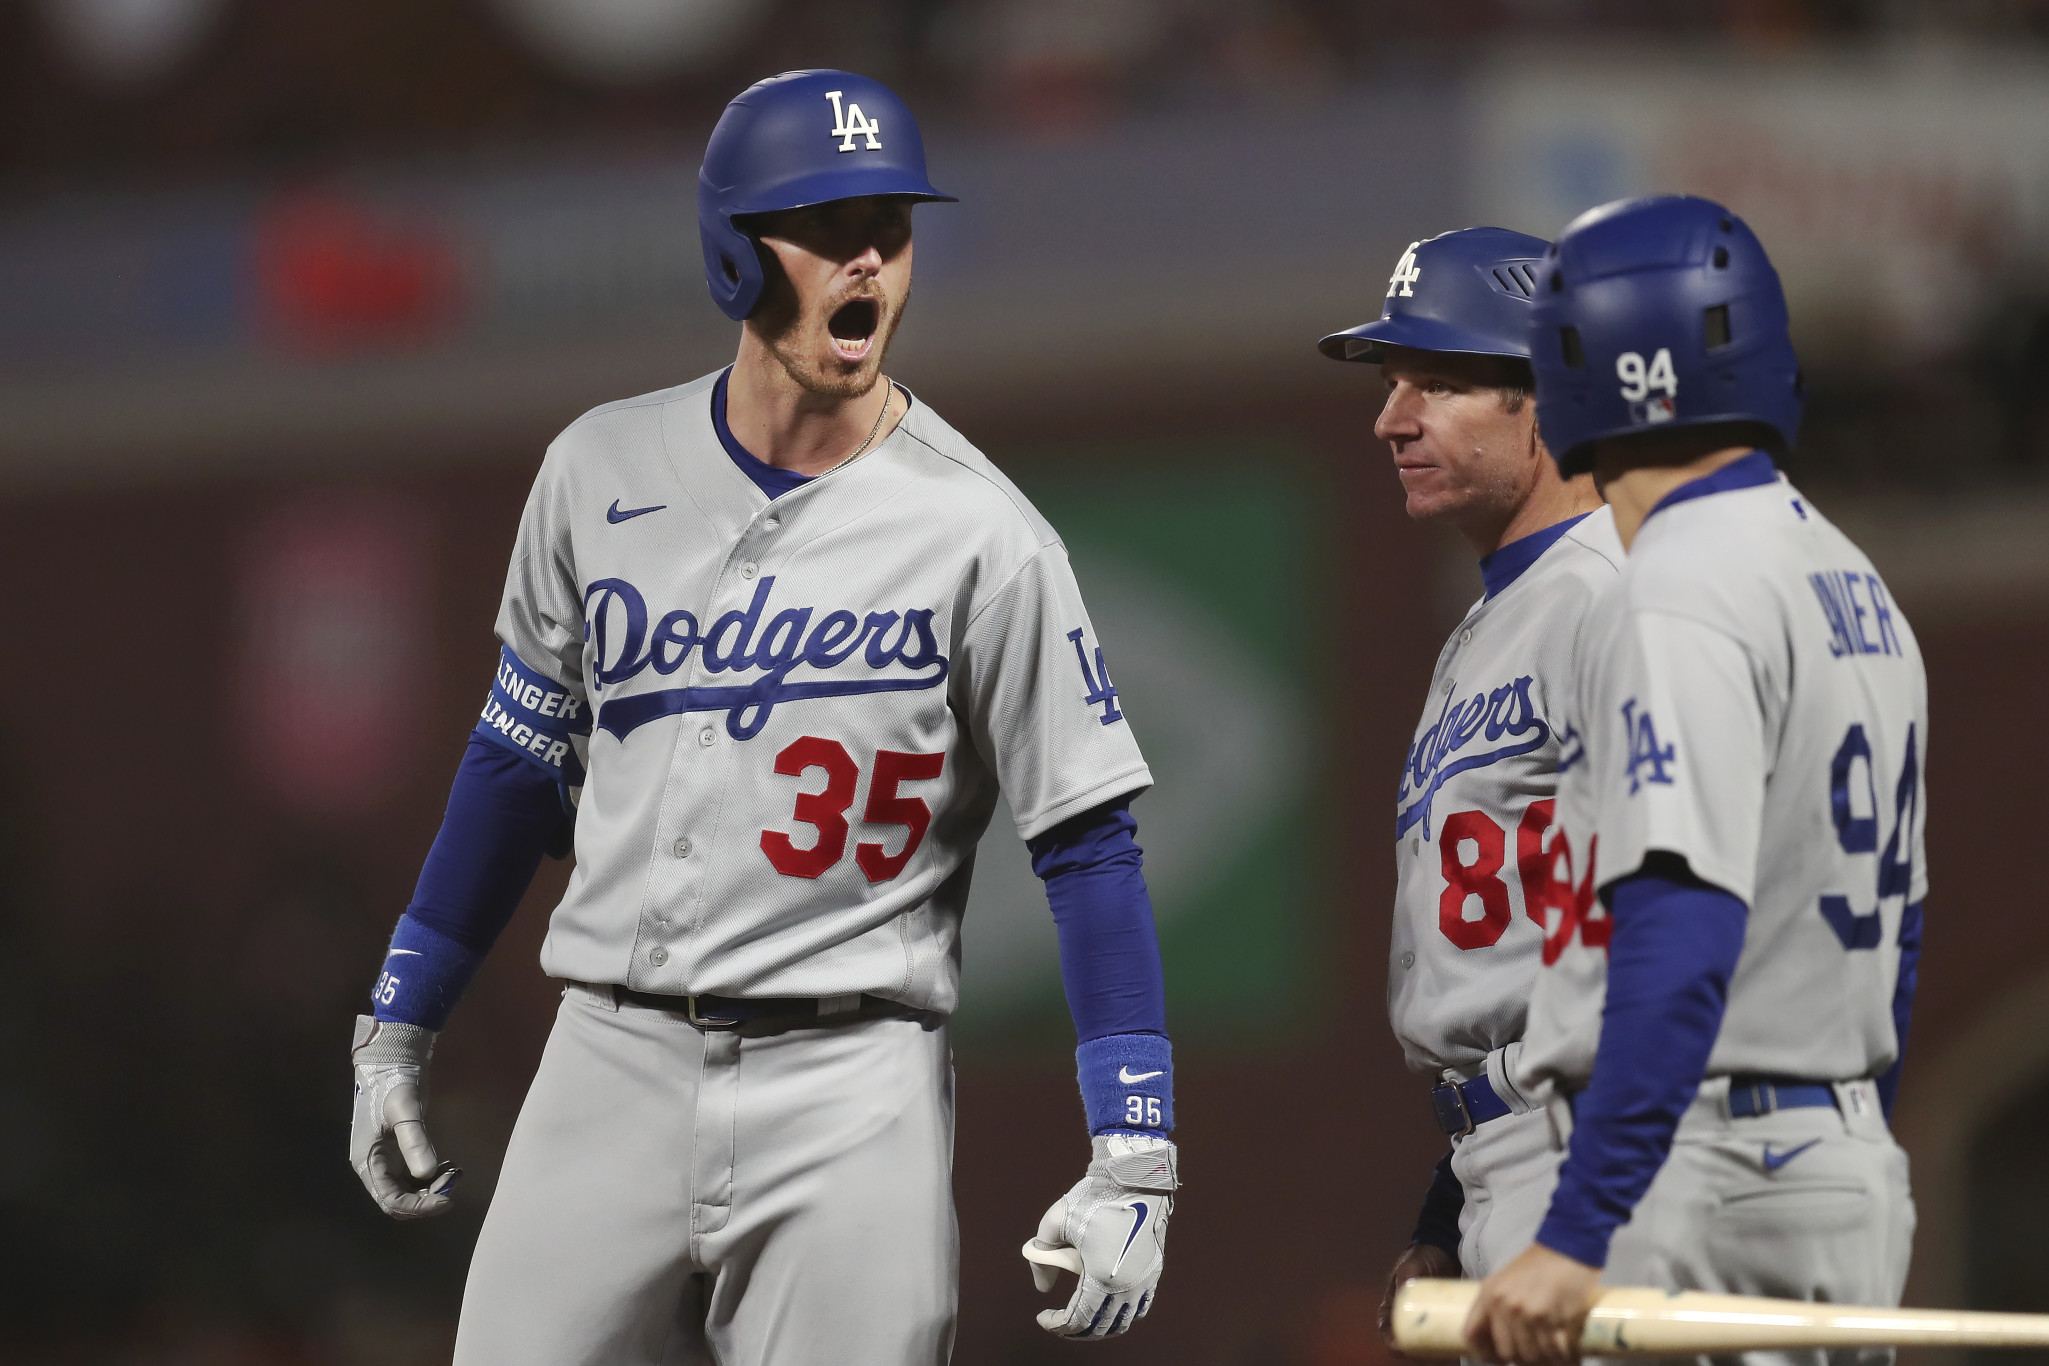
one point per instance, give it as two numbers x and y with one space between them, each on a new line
1734 908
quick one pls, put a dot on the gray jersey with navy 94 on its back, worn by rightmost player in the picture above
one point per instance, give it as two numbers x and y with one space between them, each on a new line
1751 699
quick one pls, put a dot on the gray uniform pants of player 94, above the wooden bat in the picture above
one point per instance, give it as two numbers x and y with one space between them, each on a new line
1804 1205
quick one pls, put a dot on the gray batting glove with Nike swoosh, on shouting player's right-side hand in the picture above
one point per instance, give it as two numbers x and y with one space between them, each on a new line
1114 1224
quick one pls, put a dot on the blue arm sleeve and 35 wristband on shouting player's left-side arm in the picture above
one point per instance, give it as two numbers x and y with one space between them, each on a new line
505 814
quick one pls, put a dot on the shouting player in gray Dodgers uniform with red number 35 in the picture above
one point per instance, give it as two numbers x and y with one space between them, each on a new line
782 636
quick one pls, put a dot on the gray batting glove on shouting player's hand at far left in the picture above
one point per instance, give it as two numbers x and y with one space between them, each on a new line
388 1142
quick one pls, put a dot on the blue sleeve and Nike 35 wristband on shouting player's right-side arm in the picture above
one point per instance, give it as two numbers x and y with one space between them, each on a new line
1110 964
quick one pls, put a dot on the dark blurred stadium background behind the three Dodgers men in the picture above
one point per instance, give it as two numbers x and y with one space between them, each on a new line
292 298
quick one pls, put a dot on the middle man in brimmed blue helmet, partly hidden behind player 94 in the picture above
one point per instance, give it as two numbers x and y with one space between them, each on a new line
1478 785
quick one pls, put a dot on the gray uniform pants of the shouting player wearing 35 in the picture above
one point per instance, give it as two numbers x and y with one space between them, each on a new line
694 1197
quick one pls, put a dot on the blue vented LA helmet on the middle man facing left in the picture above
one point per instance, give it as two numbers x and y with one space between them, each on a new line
1466 292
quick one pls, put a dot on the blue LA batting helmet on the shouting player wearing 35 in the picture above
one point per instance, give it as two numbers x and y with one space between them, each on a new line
790 142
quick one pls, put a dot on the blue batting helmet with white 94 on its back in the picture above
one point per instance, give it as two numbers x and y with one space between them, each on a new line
1659 314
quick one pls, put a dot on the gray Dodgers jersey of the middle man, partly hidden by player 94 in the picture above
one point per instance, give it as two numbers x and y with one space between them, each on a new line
1476 804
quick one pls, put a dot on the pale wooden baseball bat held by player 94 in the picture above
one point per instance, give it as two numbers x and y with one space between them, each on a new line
1630 1322
